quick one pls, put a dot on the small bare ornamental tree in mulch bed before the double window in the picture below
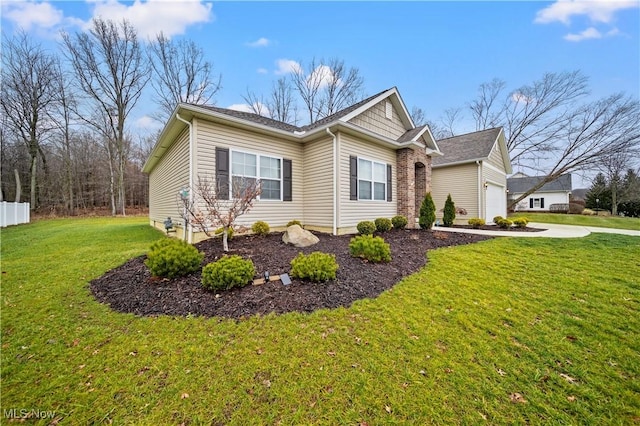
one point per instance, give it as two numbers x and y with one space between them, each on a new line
212 207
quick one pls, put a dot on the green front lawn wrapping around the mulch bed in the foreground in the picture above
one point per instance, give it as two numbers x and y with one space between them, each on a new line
503 331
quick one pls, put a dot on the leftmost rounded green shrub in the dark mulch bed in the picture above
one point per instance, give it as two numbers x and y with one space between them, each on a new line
171 258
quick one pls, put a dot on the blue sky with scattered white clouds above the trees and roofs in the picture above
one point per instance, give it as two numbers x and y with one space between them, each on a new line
436 53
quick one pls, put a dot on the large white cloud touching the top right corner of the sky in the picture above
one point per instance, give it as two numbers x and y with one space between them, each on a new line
601 11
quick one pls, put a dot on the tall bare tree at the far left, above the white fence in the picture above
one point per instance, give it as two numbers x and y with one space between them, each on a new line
27 97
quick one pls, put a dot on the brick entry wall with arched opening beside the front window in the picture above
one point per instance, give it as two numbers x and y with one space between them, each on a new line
414 181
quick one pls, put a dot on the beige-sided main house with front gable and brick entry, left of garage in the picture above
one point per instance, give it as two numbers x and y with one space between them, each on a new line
364 162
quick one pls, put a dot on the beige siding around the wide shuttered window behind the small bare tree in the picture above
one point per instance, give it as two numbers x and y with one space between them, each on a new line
276 213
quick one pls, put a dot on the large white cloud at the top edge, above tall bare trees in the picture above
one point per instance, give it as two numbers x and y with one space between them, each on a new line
153 16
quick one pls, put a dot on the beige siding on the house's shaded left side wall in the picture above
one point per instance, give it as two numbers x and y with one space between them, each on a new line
167 179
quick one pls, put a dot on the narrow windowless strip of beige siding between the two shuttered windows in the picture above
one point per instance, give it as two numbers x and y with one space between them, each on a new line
318 184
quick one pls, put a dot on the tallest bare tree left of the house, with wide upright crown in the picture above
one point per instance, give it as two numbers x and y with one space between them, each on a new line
110 70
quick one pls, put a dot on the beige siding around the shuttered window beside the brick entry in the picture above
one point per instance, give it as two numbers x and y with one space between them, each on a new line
353 211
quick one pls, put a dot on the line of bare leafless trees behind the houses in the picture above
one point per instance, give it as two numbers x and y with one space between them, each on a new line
66 119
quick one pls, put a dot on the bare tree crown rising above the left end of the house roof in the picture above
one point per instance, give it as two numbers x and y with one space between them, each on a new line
181 74
